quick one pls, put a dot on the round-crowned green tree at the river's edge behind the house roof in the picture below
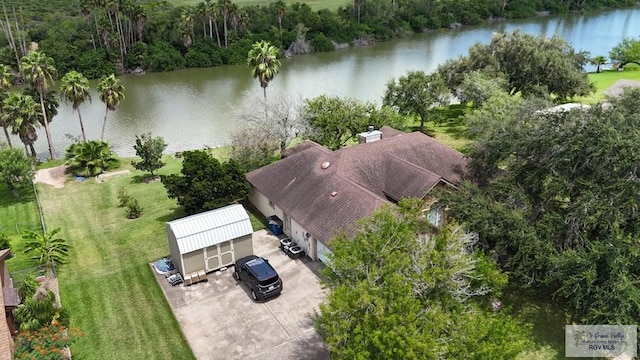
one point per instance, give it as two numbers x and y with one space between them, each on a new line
417 94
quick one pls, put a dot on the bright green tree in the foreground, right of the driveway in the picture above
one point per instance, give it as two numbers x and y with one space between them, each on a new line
400 293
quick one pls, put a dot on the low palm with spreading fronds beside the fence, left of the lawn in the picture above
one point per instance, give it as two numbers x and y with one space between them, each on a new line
46 248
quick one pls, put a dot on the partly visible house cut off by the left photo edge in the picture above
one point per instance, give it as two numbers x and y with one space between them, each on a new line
9 300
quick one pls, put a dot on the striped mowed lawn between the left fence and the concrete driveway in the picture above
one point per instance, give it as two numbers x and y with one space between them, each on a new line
107 285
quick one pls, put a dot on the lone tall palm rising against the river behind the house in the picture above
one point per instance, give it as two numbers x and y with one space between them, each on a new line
264 63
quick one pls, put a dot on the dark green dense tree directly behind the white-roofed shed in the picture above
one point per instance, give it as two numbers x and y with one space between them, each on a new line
205 183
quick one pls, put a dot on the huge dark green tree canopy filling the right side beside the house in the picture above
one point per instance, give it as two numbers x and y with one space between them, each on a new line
559 204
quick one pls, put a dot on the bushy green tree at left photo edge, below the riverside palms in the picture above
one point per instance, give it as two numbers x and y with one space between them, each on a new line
16 168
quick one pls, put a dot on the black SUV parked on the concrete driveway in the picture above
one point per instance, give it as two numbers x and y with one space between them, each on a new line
262 278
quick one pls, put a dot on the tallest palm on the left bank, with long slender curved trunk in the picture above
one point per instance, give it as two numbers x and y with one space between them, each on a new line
38 69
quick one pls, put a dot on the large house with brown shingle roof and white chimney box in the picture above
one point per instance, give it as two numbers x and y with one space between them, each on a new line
318 192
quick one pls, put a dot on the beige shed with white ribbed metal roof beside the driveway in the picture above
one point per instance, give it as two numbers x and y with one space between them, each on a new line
210 240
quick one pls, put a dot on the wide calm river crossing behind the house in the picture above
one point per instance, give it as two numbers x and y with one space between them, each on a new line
193 108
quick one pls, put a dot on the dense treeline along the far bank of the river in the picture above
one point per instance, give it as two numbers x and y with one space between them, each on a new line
98 37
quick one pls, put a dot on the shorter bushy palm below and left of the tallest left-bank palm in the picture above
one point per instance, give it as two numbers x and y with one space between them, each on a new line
21 112
